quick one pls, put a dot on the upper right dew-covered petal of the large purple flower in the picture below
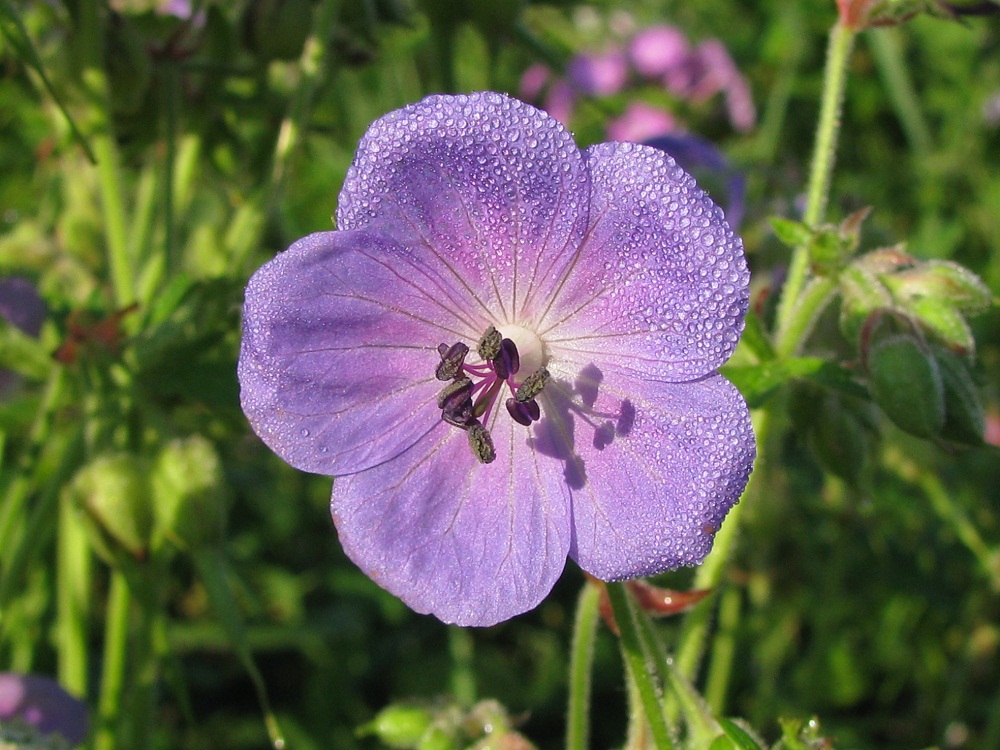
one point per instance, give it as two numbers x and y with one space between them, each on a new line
662 286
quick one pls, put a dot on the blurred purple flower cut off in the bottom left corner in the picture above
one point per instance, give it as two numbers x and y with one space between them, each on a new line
43 703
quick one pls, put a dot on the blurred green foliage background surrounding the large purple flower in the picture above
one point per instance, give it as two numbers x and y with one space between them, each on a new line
873 607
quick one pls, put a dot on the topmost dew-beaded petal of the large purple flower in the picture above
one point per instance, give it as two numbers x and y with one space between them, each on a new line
493 189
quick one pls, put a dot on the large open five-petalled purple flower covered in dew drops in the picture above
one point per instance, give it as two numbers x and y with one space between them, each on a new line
506 354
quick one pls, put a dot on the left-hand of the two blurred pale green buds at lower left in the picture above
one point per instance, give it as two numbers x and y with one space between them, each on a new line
114 492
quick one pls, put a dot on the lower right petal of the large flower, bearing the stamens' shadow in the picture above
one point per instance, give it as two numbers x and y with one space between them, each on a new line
658 466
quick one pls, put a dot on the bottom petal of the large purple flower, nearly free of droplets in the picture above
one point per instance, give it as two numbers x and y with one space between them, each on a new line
472 543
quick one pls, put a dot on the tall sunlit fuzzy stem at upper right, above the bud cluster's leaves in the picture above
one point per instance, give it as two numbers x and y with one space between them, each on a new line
821 171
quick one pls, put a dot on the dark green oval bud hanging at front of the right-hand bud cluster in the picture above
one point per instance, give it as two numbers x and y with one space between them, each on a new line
905 382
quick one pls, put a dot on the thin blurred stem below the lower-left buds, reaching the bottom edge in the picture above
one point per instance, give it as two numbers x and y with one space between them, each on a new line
109 708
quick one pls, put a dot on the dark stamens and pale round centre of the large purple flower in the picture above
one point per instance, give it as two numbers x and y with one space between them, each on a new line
513 357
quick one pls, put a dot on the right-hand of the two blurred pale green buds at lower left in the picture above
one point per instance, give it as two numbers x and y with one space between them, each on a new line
189 493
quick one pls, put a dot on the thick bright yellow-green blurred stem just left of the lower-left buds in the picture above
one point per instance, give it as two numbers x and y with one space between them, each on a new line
73 598
